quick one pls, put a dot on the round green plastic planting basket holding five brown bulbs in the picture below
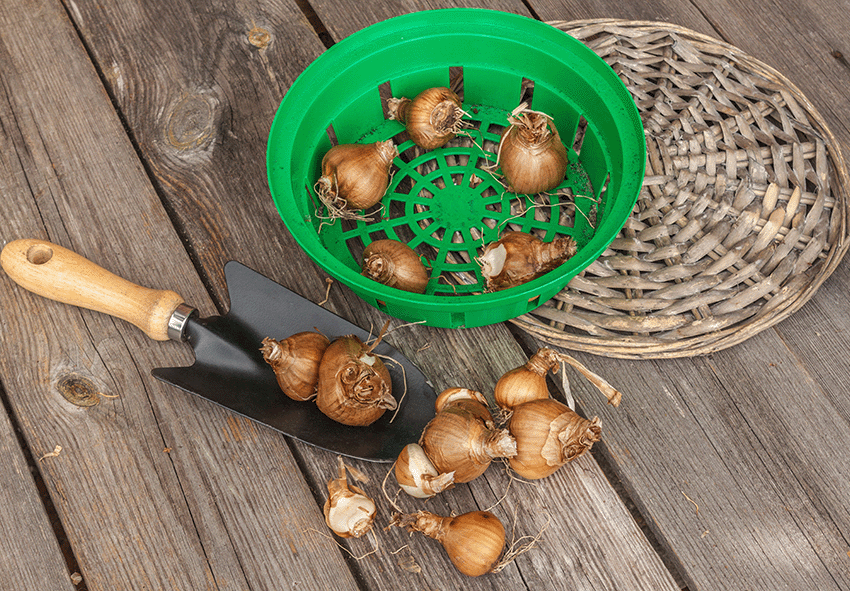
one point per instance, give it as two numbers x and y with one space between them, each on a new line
449 202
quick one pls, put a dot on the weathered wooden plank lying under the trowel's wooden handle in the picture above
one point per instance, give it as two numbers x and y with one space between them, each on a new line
156 489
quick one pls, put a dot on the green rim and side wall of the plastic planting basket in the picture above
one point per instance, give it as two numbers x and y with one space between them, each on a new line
298 139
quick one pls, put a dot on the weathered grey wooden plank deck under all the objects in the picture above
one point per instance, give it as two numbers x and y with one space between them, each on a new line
134 133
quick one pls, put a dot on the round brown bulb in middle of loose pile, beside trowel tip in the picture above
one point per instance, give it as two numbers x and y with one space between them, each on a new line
463 438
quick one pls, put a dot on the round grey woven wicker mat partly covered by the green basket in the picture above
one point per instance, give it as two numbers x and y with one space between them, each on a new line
742 214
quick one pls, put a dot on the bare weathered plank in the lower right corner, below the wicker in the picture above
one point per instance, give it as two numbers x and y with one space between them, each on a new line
743 481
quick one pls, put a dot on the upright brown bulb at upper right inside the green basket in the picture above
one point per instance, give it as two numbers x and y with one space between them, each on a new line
532 157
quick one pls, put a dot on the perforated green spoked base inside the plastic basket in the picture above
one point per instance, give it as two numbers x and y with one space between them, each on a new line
448 203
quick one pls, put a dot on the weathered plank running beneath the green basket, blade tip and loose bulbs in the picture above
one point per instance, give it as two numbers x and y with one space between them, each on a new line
231 178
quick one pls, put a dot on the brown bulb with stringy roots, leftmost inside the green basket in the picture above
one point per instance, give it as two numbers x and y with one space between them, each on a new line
354 177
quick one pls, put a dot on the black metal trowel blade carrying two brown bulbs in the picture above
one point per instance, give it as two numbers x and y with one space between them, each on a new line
229 370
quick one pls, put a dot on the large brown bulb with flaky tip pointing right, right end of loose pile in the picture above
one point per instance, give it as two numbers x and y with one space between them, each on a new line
549 434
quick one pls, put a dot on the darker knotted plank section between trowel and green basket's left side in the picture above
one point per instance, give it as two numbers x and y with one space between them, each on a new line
198 87
